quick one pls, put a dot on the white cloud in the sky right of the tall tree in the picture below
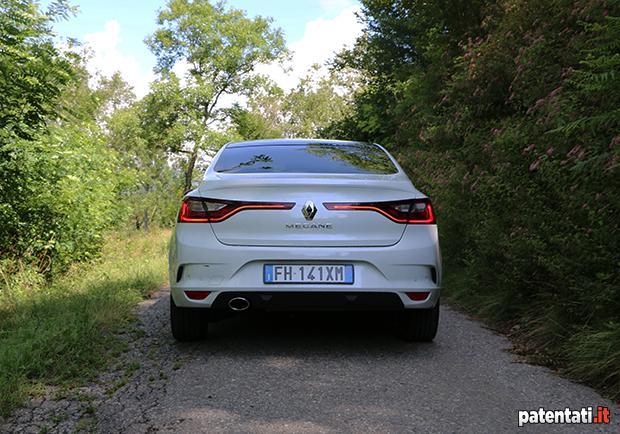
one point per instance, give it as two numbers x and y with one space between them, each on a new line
321 40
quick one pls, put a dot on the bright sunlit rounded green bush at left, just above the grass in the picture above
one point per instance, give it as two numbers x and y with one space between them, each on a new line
64 199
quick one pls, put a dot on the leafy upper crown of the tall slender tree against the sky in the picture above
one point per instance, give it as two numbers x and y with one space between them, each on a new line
220 44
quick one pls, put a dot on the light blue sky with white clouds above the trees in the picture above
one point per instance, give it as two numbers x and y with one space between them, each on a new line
115 31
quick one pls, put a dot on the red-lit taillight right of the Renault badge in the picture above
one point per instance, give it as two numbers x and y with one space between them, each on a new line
414 211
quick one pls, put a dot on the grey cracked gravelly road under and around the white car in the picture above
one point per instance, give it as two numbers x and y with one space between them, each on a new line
309 373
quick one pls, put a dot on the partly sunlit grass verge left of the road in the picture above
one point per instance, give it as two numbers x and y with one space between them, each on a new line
63 332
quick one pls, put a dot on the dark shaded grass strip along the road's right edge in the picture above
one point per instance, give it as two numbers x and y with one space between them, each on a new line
588 354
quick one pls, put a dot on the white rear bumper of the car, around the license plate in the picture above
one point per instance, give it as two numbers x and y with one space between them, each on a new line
198 261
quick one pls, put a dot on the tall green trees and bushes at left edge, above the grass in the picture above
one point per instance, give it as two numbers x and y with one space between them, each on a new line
59 178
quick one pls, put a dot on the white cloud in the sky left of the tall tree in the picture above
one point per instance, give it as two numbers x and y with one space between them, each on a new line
107 58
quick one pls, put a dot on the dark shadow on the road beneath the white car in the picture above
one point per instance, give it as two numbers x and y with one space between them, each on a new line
309 333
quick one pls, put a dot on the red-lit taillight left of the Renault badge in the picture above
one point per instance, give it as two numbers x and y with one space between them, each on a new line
201 210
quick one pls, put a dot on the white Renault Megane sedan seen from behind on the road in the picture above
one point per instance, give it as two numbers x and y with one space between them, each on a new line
304 225
